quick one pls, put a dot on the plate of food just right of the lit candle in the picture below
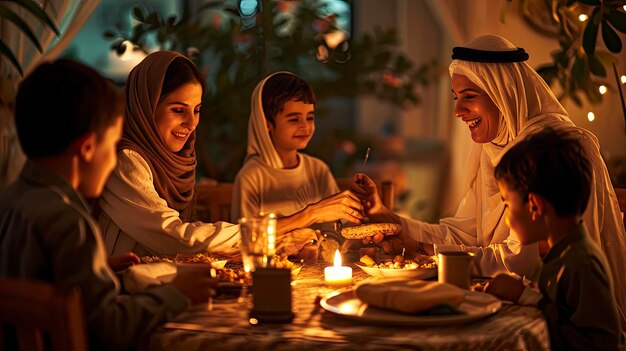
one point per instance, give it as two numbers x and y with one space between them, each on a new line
421 267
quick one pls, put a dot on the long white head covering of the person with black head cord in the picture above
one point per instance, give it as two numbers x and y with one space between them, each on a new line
526 104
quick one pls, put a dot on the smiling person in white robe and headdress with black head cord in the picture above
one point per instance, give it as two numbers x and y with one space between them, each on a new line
503 100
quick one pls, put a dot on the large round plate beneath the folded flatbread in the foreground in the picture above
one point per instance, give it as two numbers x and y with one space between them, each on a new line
345 303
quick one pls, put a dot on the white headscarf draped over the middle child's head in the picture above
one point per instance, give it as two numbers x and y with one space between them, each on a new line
259 141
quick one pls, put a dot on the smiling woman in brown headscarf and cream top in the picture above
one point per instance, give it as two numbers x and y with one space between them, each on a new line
146 204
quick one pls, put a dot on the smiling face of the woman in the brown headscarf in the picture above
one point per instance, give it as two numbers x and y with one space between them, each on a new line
177 115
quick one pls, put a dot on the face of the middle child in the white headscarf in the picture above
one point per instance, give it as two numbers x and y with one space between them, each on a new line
293 126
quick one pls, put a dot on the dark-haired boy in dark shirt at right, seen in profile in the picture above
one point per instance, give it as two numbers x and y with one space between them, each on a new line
545 182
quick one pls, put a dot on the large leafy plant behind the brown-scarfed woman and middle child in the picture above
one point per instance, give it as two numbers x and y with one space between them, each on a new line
287 35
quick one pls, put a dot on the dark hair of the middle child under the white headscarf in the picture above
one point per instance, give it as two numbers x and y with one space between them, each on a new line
283 87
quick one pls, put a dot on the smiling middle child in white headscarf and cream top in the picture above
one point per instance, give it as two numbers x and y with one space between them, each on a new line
276 177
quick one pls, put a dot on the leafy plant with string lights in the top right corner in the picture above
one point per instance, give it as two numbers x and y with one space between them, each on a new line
581 64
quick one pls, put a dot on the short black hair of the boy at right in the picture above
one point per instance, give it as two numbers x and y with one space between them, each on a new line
550 164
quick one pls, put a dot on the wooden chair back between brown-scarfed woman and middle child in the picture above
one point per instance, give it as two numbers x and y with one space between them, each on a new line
213 202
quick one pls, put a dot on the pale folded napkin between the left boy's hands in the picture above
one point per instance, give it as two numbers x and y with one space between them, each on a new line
141 276
